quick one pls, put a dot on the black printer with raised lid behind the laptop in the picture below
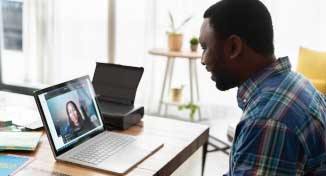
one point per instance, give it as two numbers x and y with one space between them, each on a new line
116 87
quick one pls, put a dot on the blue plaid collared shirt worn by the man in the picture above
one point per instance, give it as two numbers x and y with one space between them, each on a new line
283 127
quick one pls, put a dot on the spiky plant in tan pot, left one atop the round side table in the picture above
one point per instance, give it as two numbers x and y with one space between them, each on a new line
174 36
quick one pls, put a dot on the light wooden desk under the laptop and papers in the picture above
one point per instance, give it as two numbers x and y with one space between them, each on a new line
181 140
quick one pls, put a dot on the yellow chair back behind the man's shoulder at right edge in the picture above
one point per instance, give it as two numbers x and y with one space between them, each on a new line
312 64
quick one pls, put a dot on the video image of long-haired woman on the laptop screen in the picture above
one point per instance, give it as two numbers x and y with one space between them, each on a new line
73 113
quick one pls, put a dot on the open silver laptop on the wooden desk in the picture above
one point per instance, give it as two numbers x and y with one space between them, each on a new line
73 124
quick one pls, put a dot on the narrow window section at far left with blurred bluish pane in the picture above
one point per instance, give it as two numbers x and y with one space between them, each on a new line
11 23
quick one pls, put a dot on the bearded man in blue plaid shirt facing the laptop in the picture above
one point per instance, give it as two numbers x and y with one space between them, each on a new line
283 127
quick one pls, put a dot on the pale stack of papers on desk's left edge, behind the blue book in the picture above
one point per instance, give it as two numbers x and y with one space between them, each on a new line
19 140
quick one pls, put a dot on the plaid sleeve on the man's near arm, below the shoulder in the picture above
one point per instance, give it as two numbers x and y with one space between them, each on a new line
266 147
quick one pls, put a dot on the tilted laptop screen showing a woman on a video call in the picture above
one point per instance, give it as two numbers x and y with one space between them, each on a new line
70 112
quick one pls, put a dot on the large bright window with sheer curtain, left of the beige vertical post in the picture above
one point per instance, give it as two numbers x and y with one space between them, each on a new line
49 41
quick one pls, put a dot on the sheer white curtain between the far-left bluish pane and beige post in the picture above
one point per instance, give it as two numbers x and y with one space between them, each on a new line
64 39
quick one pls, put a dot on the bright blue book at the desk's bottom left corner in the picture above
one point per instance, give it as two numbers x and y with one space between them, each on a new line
11 164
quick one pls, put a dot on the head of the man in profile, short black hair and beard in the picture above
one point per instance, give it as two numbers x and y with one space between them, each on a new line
233 35
